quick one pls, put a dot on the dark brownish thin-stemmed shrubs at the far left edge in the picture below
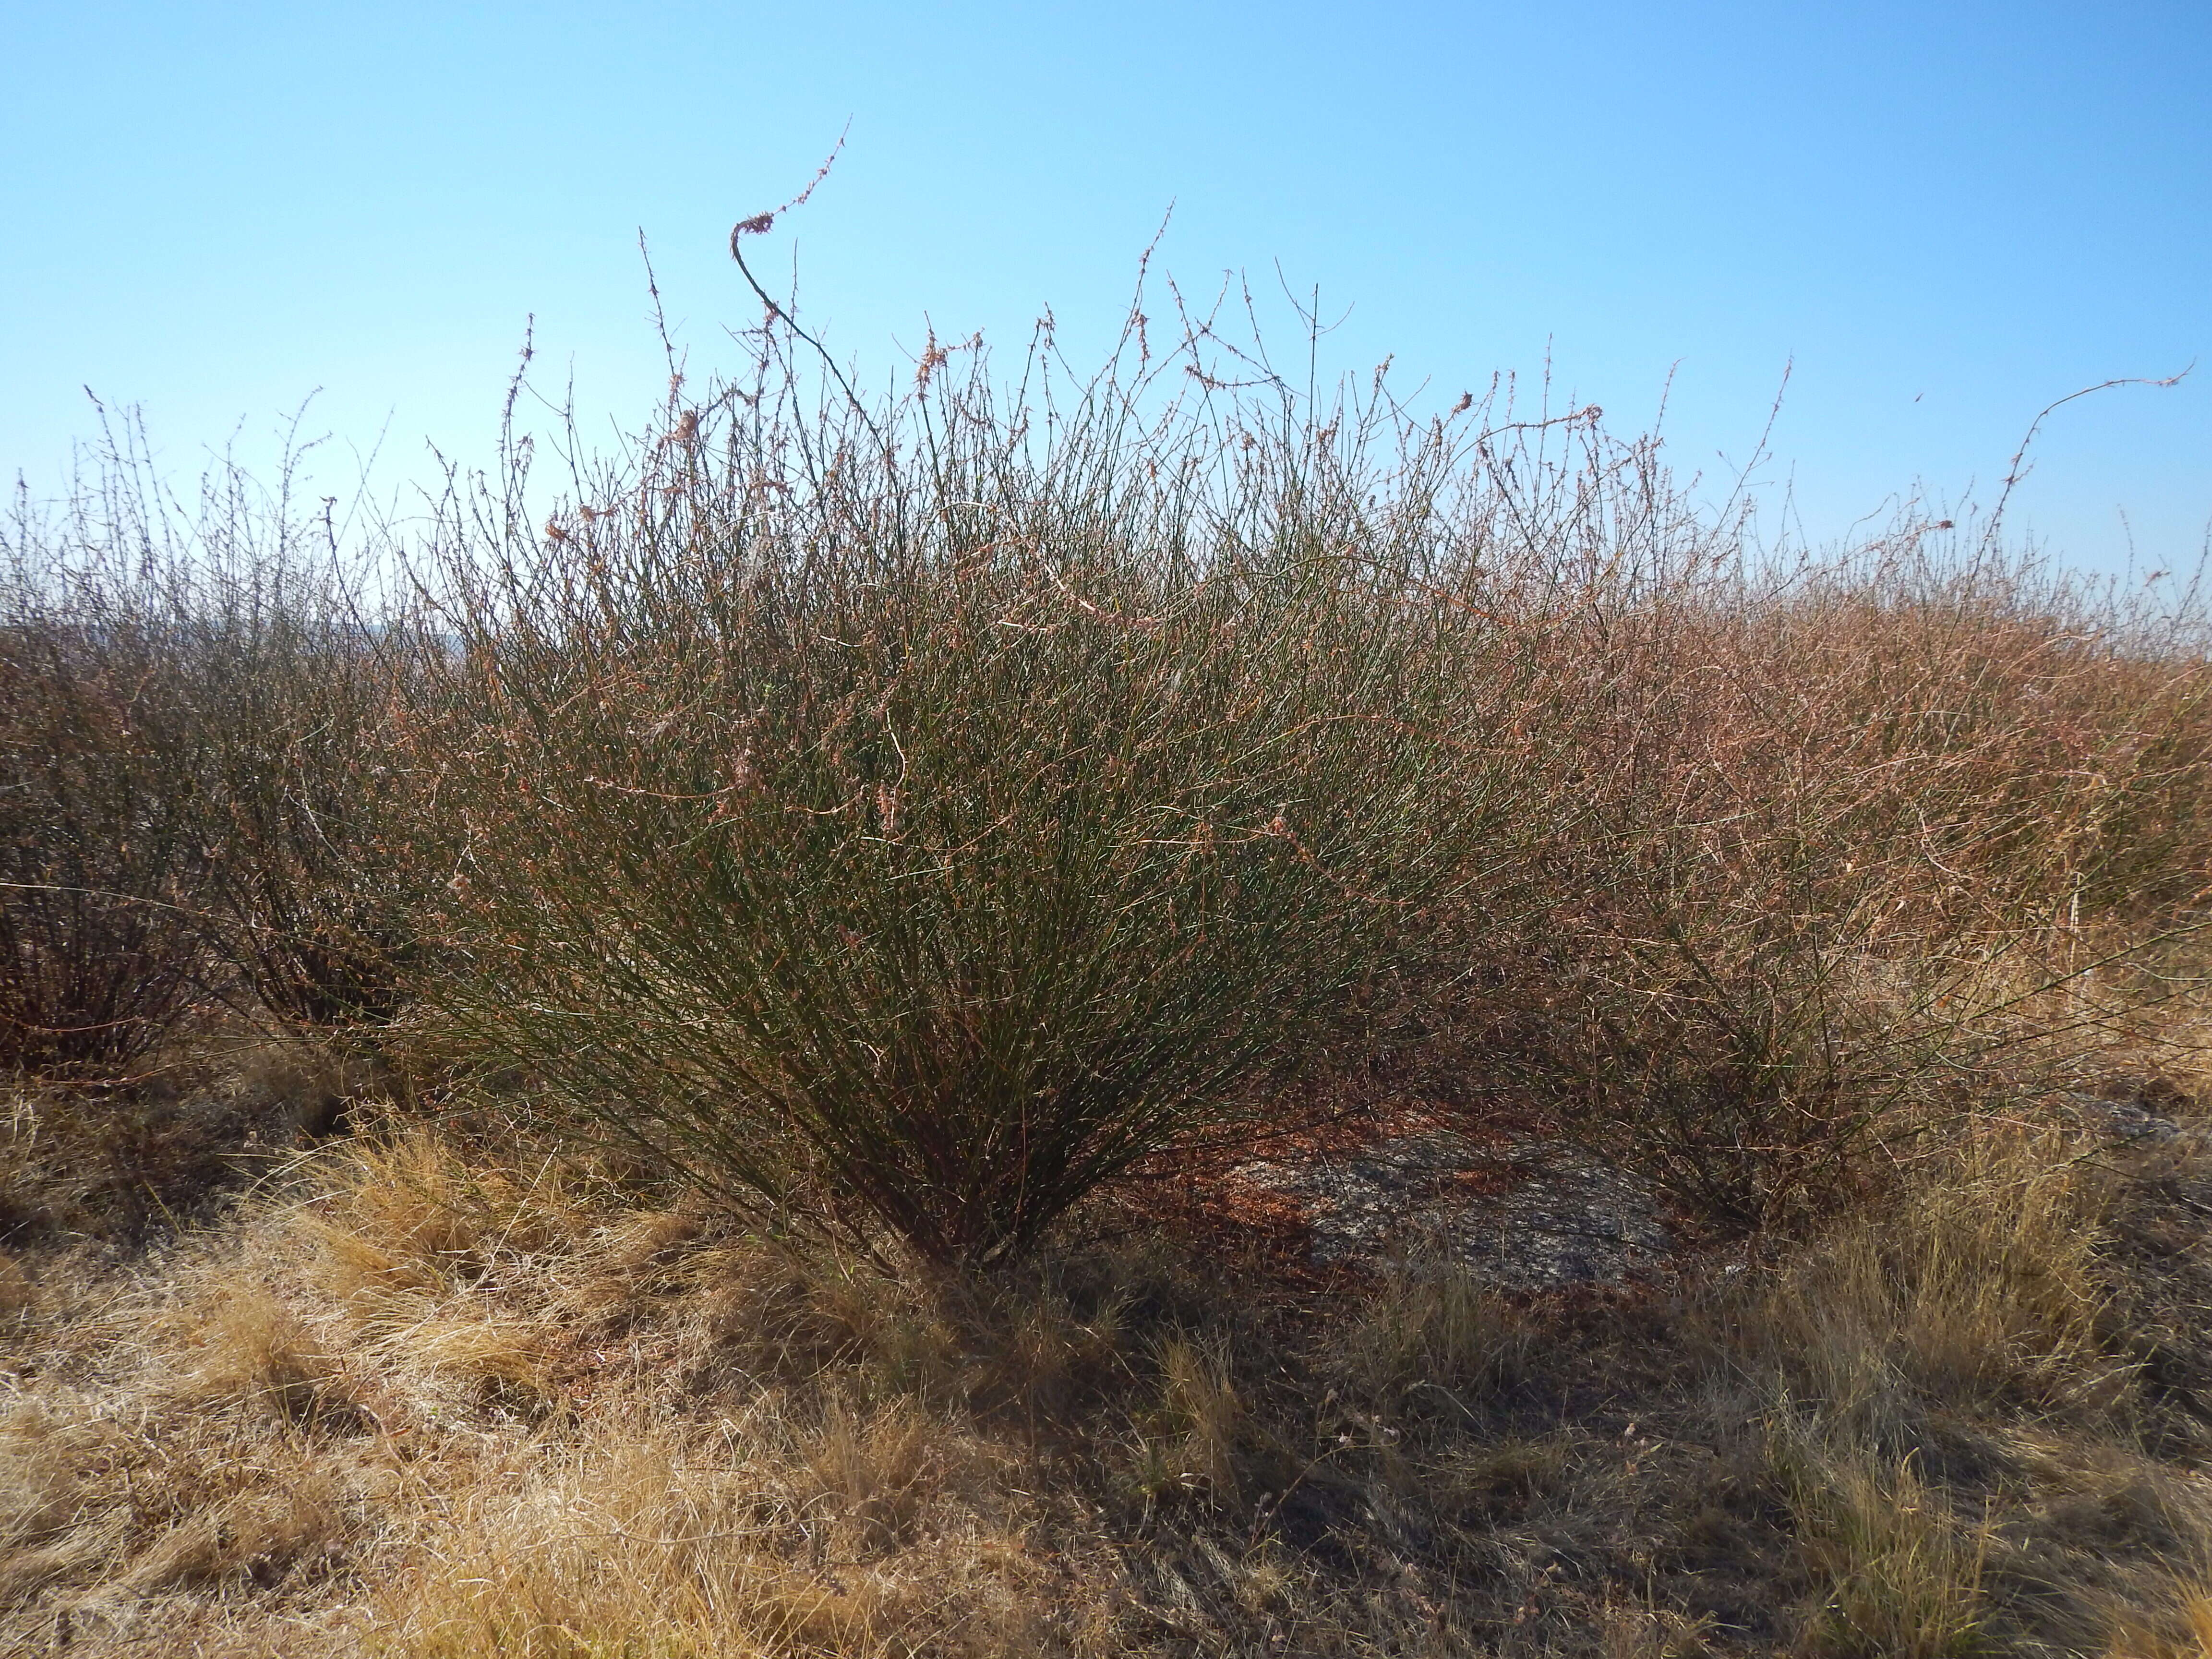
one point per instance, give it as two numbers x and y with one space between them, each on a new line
207 789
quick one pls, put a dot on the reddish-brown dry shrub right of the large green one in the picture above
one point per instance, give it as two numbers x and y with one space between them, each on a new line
1846 851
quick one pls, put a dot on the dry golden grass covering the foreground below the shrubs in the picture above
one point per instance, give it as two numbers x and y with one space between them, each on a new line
463 1395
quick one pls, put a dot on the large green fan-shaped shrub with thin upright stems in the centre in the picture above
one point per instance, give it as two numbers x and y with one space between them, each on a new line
937 828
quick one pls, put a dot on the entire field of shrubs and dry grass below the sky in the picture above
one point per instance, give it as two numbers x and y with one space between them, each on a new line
1096 1016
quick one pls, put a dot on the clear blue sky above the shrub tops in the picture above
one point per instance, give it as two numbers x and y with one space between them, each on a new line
1943 213
